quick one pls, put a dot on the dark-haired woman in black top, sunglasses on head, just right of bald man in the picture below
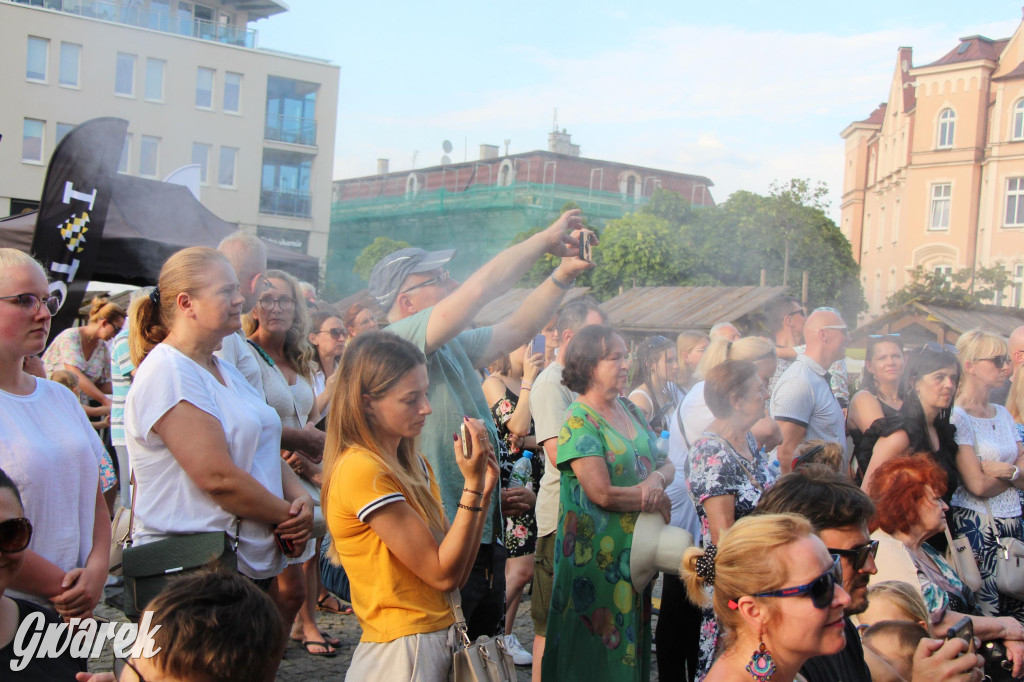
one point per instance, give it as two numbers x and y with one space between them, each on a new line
879 396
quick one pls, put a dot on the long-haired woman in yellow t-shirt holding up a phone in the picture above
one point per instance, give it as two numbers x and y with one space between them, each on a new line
385 514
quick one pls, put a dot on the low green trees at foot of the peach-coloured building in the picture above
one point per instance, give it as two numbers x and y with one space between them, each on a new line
959 290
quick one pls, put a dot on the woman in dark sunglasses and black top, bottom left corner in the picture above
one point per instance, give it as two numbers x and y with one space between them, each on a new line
16 532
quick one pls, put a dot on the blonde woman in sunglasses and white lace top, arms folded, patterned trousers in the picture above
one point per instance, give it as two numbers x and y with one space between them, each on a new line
987 506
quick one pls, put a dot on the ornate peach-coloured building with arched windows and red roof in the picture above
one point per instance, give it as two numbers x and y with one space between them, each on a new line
935 176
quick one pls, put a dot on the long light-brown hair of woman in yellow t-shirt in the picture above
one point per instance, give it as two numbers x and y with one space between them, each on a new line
371 366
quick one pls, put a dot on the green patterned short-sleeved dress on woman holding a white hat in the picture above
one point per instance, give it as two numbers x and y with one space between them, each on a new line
599 627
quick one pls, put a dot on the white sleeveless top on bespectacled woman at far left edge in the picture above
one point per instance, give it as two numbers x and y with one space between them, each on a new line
53 454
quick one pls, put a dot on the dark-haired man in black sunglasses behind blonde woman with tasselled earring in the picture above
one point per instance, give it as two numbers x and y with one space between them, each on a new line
839 511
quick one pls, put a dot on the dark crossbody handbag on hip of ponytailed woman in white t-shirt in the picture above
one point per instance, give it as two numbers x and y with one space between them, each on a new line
148 569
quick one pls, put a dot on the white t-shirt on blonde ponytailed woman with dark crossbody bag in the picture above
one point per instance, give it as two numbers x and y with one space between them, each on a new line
167 500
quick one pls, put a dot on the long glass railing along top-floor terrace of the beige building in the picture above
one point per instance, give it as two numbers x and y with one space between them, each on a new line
123 13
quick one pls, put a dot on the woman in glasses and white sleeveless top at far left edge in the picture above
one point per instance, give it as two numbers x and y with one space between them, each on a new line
50 449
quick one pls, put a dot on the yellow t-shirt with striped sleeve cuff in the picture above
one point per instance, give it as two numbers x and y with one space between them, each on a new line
390 601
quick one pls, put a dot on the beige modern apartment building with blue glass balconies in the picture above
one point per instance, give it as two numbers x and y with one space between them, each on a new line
196 87
